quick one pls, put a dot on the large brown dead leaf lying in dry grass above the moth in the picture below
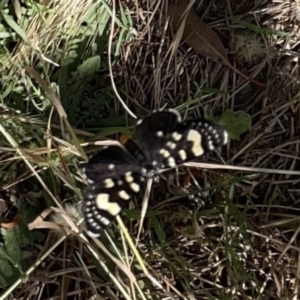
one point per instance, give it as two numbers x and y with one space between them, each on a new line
196 33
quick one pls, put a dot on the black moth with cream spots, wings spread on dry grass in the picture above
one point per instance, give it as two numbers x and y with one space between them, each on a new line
161 141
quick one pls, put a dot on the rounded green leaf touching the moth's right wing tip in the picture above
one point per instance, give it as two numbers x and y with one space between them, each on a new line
235 122
